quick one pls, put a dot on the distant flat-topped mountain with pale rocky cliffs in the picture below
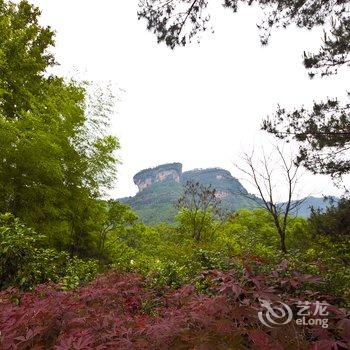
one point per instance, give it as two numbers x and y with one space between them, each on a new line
160 187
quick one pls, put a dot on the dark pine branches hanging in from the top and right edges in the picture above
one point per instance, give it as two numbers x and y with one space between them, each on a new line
322 133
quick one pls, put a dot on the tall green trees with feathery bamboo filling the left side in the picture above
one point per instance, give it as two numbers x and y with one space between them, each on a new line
55 156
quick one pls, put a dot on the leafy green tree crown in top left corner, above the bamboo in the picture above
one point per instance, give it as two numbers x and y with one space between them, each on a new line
24 57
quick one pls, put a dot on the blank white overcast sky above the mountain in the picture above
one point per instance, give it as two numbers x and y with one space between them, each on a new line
199 105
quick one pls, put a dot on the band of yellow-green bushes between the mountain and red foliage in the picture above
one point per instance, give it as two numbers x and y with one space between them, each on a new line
168 257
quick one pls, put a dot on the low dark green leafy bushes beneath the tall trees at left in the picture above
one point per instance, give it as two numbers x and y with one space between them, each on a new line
25 261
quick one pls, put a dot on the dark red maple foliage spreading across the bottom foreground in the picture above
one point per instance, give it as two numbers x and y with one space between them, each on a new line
119 311
